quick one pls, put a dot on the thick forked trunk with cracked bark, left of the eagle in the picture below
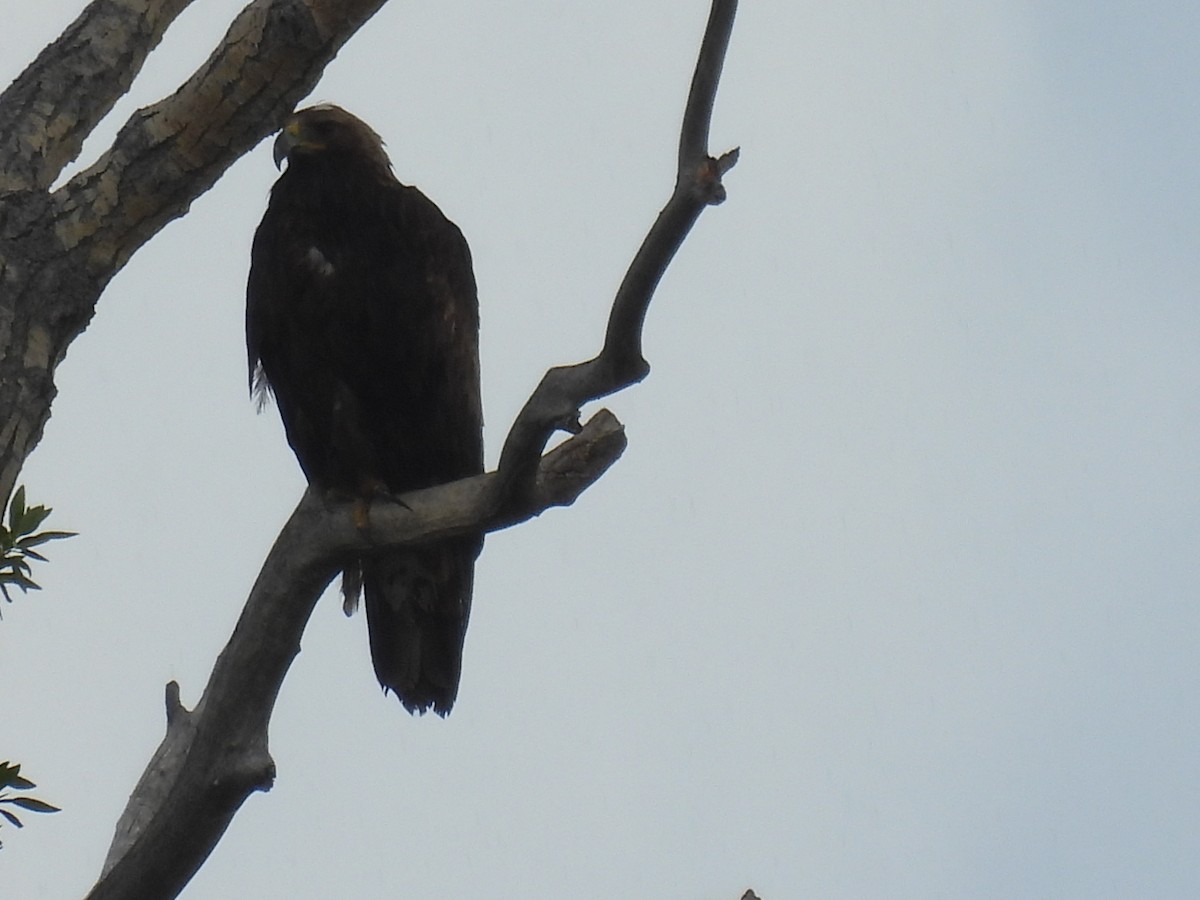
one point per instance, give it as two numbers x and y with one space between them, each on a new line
58 251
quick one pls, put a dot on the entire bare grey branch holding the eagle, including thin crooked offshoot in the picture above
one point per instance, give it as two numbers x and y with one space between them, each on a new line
214 757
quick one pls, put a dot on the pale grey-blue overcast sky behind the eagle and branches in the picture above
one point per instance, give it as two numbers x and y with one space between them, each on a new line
895 593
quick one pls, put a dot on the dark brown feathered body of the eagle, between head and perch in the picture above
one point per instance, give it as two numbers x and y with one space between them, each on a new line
368 337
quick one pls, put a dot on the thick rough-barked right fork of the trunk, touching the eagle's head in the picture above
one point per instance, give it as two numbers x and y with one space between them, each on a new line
171 153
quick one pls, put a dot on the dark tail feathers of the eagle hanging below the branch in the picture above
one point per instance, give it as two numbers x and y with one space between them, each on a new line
418 603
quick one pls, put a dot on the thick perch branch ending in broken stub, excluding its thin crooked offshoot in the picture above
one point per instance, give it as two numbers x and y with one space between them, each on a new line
215 757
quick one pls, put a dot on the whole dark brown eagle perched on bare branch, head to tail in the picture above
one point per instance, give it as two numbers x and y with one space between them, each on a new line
363 322
